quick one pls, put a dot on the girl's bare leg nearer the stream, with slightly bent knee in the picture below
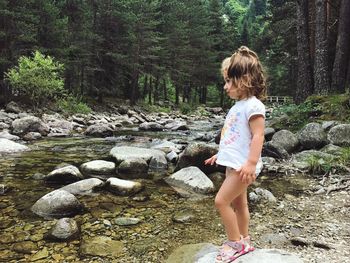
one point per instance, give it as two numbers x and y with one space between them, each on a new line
230 189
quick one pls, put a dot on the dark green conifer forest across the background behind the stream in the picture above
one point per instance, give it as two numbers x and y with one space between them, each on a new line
170 51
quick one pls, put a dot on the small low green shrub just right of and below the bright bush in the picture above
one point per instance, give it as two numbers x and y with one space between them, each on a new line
72 105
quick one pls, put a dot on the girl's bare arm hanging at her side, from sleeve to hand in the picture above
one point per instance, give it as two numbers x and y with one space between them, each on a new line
257 127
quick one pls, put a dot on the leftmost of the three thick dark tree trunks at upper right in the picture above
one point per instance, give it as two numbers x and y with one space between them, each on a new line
304 82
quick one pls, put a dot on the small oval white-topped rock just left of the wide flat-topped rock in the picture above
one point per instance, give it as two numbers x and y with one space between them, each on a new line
98 168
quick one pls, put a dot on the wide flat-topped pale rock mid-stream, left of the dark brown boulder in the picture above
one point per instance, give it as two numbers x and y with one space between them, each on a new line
155 158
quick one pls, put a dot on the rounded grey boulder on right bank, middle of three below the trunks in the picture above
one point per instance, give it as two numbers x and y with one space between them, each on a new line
312 136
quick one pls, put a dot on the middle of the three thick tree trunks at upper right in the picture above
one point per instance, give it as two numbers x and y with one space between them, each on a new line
321 72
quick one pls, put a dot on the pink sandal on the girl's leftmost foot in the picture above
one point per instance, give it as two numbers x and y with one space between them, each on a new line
230 251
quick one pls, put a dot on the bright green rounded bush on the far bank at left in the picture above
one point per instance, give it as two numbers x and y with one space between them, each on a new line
37 77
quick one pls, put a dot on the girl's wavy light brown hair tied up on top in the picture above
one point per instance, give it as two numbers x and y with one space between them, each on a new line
247 73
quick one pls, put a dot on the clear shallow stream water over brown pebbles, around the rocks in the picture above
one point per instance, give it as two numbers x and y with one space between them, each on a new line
157 231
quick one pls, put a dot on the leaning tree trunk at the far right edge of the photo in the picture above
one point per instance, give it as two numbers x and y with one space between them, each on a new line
340 66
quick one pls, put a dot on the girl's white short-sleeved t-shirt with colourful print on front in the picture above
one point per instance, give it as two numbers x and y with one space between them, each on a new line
236 135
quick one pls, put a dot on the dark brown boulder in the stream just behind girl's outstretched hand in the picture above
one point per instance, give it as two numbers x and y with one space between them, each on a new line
195 154
